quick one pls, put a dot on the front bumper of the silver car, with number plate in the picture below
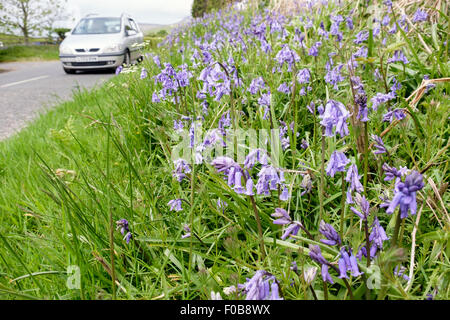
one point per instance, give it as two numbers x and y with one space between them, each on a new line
99 61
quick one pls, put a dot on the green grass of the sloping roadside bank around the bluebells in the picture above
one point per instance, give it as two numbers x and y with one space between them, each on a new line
105 156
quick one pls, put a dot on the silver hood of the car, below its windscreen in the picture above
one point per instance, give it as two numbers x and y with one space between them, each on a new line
91 40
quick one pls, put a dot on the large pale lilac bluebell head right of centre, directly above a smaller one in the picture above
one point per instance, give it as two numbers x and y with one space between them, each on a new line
335 115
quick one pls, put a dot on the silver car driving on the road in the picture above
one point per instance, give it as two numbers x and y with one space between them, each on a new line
99 42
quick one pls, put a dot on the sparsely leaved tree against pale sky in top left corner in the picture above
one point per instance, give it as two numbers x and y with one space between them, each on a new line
31 16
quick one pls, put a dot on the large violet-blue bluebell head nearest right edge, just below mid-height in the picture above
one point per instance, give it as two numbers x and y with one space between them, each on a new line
405 195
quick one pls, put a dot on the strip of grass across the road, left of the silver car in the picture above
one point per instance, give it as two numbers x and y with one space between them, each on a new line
27 53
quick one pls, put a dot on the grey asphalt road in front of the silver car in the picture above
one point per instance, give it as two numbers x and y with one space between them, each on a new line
29 88
